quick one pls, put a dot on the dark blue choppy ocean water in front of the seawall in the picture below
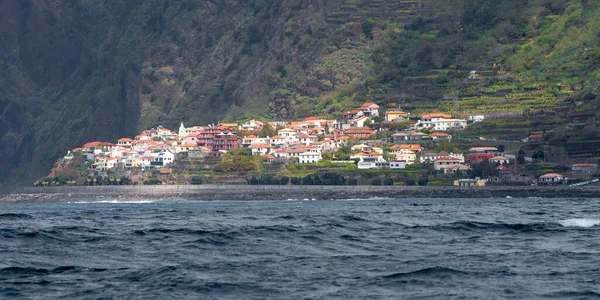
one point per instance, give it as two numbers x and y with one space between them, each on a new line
353 249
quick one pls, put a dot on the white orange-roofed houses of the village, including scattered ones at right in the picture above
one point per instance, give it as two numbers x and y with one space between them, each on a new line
305 142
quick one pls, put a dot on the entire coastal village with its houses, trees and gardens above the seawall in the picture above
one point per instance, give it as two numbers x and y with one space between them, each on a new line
364 146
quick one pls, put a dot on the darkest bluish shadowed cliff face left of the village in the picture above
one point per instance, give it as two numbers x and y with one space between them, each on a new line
50 95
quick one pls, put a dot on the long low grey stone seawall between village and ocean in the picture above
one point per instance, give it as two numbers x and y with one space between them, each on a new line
245 192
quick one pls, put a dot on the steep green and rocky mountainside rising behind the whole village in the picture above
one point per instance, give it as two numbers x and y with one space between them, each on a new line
86 70
